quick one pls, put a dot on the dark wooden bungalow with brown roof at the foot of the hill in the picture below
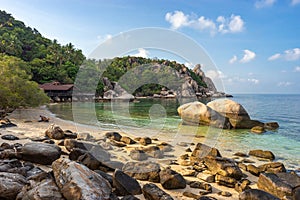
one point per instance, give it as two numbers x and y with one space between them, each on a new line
57 91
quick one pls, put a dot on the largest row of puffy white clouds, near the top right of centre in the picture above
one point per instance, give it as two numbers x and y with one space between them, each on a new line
232 24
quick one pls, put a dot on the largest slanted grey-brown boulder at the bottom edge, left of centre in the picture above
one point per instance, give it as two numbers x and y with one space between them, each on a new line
76 181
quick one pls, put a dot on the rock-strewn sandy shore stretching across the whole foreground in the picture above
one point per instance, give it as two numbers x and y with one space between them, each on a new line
56 162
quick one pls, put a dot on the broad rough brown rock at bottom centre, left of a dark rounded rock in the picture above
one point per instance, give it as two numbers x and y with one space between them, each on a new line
147 171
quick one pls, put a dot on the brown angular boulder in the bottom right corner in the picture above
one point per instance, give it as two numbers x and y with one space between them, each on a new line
280 185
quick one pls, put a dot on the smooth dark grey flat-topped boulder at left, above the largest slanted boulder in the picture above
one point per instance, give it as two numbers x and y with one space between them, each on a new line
41 153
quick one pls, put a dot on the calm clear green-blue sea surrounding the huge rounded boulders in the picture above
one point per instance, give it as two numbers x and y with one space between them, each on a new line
159 117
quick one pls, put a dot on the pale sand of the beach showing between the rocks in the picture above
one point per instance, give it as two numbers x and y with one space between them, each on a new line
28 127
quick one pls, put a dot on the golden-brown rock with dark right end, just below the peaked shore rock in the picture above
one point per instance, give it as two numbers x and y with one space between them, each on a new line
223 166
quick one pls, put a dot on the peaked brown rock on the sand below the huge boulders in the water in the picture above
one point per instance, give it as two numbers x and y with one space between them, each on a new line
202 150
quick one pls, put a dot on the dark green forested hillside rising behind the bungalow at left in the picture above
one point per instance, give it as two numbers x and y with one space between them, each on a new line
47 60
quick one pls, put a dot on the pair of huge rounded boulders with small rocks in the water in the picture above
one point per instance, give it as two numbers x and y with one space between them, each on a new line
222 113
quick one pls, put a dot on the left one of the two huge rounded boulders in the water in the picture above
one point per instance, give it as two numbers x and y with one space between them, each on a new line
196 113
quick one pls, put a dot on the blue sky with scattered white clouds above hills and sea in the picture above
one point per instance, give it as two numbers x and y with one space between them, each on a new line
254 44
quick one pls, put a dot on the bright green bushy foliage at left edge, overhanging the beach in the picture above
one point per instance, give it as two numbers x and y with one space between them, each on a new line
15 87
